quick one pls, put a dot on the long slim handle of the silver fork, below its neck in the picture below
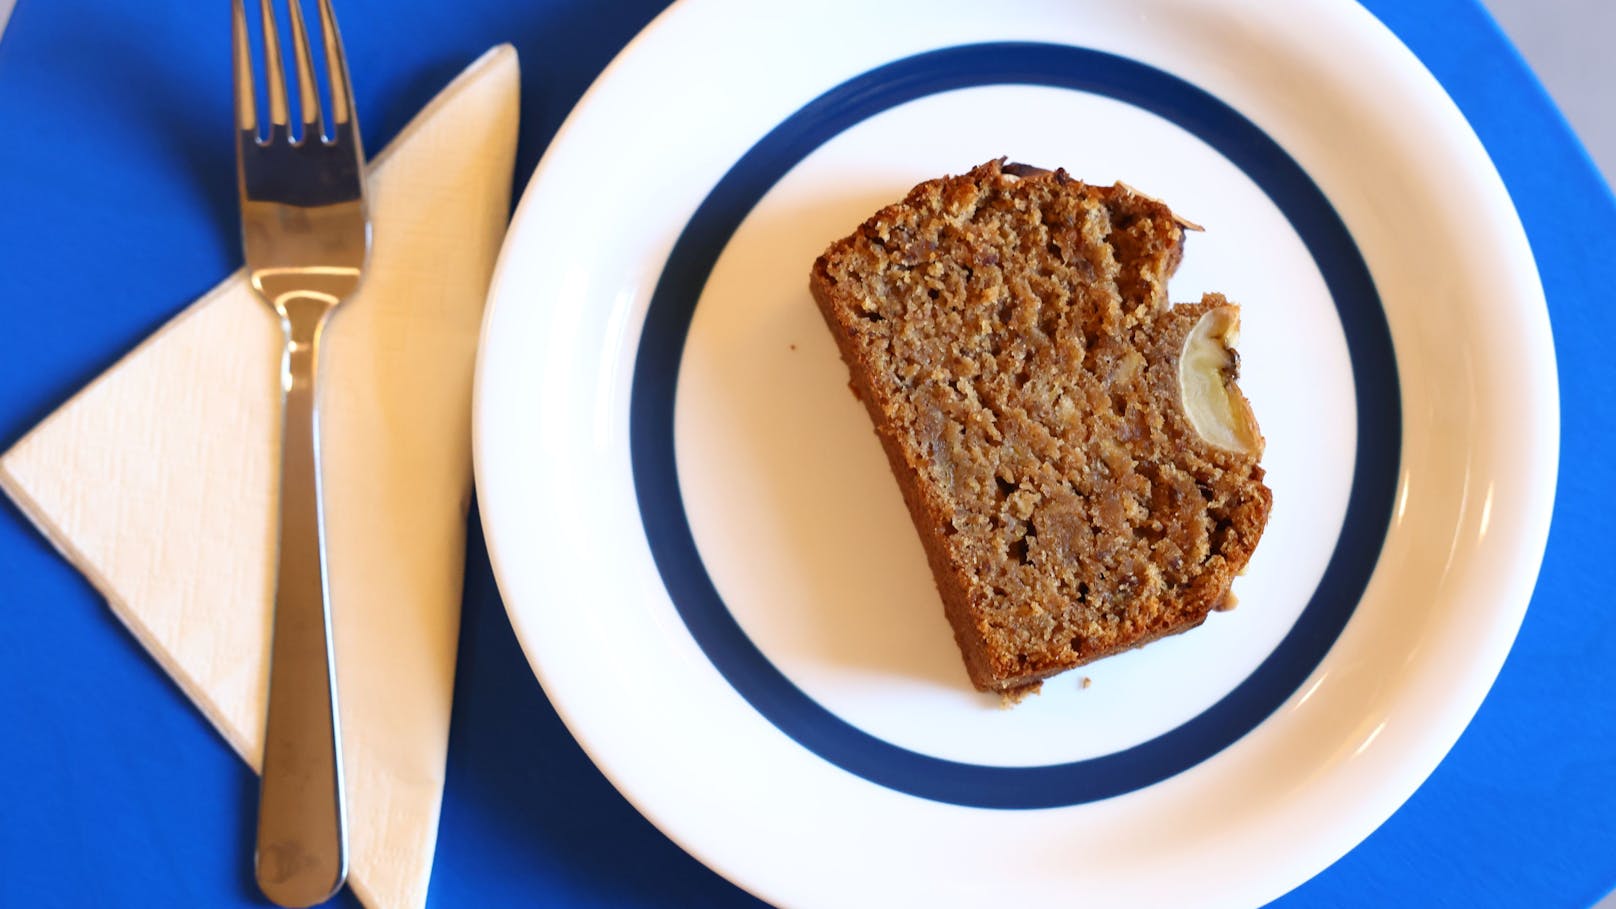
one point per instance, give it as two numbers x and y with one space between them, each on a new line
303 826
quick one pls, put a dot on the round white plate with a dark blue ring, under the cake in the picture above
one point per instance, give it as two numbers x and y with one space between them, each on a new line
710 567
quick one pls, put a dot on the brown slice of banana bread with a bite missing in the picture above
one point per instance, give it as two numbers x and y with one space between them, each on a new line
1075 454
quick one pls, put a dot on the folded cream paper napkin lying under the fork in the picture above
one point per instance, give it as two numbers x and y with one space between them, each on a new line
159 481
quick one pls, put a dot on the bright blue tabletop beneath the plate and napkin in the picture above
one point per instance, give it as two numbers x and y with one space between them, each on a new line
117 209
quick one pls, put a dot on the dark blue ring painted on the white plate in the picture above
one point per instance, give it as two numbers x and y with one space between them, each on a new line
768 690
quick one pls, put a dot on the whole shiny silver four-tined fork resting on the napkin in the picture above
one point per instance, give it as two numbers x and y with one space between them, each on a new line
306 234
